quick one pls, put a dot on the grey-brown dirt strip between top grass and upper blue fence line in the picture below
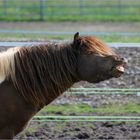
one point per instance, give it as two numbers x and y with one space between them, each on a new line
74 26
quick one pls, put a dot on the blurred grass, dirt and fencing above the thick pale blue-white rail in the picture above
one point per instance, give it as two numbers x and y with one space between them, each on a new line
112 20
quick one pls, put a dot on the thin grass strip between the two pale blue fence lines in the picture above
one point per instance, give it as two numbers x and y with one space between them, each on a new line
106 38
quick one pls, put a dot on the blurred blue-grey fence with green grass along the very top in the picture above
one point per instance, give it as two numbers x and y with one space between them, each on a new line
43 10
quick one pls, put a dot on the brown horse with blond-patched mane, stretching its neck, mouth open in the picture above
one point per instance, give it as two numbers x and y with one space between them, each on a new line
32 77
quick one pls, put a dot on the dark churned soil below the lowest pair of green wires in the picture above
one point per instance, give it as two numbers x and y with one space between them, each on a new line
84 130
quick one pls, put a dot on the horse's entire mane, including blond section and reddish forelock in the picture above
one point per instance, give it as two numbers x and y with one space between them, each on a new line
39 70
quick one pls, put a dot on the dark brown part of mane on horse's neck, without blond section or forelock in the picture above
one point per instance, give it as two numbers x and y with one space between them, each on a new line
44 69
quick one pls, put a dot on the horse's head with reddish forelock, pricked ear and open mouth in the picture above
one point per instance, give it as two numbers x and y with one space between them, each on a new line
96 61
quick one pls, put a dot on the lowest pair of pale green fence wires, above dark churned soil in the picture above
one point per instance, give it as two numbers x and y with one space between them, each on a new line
86 119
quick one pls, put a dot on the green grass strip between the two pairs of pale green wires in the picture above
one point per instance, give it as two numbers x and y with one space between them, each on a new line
85 108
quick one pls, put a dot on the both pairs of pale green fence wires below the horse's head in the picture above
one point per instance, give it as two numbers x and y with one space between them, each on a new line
57 118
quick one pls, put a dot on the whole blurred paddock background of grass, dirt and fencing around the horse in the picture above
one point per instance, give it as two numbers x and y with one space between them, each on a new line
107 110
